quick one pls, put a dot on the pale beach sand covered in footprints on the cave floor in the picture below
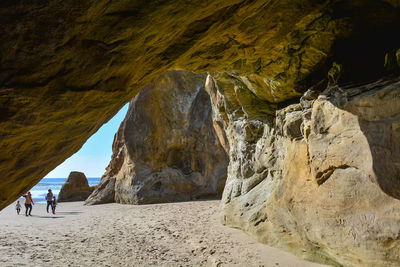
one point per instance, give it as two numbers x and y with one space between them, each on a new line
173 234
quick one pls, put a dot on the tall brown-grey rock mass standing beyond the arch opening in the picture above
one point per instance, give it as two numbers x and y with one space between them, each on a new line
166 149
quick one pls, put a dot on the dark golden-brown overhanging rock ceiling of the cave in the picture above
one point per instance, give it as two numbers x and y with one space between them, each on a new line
66 67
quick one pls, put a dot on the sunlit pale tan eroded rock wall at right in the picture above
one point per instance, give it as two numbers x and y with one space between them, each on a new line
322 178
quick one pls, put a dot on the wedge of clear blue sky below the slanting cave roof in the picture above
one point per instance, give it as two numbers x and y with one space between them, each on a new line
95 154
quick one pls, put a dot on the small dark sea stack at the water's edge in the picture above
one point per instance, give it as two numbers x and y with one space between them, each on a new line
75 188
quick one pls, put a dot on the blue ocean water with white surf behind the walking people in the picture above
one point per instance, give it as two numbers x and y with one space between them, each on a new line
39 191
